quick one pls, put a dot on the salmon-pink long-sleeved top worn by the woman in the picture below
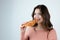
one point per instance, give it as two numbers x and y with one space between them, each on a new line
31 34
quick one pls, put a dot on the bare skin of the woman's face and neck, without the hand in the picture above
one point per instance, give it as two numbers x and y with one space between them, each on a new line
37 15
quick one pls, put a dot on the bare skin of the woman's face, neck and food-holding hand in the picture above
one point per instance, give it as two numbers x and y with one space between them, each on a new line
38 17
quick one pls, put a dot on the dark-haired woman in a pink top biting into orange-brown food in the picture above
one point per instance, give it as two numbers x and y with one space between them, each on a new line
43 29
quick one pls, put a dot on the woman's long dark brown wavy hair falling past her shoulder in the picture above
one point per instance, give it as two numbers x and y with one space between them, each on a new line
46 17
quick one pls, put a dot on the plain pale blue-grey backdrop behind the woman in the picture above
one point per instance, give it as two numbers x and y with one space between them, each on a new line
15 12
